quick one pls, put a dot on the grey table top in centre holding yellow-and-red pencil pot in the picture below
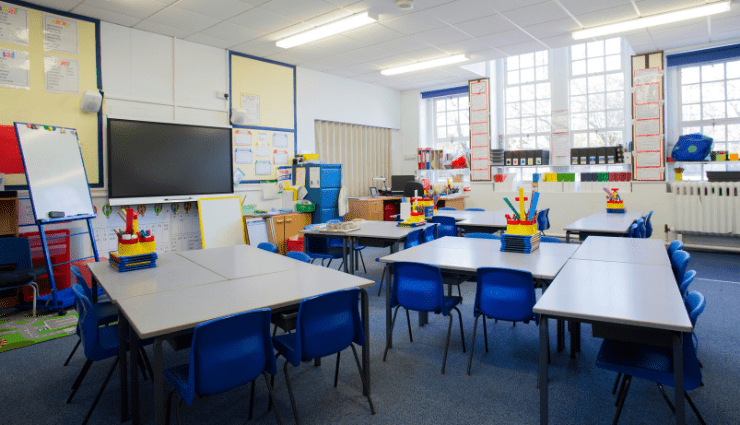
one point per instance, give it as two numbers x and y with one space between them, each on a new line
471 254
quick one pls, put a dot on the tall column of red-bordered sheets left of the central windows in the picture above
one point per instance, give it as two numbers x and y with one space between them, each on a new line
480 130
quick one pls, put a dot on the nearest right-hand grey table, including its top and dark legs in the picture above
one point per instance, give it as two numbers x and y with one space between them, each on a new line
625 301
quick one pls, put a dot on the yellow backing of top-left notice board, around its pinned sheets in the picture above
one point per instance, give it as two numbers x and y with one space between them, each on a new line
37 106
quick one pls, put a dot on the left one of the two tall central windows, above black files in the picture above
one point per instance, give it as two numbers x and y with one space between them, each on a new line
527 99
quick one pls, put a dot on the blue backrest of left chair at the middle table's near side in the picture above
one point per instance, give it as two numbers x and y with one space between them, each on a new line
417 286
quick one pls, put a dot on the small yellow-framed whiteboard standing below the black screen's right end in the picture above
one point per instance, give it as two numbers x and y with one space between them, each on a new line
221 222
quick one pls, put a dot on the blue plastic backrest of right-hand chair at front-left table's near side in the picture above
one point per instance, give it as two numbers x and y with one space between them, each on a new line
328 323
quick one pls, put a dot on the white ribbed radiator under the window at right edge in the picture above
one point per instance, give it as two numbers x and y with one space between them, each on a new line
712 208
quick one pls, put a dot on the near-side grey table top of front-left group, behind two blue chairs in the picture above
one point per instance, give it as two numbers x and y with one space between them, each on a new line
163 313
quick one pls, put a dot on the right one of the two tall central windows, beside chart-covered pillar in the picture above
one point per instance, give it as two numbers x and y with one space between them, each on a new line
597 97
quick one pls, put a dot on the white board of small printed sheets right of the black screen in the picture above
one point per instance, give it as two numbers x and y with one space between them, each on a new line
259 153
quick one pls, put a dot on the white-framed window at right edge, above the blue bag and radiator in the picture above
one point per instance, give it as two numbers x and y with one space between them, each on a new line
710 102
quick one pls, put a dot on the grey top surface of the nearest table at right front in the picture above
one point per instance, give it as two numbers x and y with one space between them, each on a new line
629 294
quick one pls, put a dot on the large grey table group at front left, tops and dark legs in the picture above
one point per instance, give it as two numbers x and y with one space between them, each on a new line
177 305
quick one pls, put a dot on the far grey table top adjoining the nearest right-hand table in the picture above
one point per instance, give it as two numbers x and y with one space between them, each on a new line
623 250
